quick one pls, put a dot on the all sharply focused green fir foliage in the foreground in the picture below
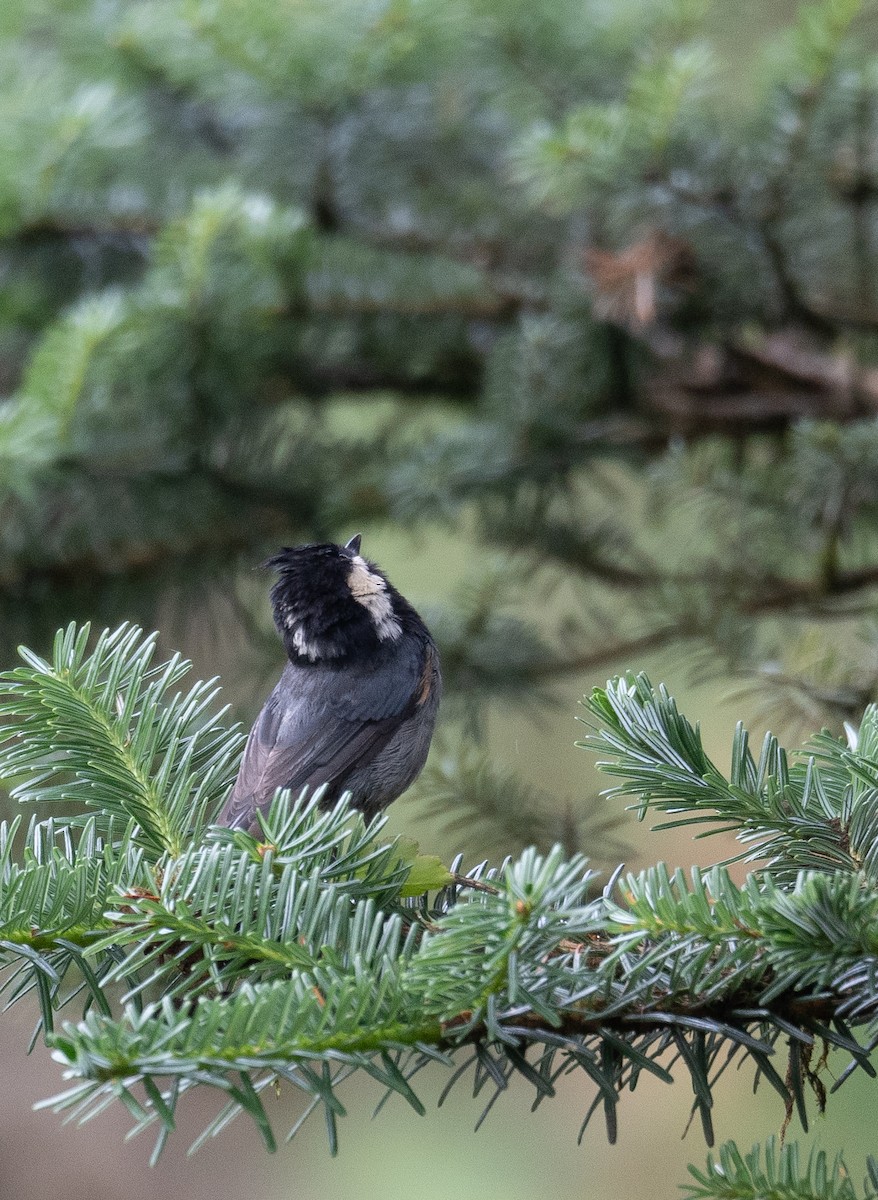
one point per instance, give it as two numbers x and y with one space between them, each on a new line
188 956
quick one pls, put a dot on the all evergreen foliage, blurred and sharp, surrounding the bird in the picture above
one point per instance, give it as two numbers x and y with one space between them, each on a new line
556 277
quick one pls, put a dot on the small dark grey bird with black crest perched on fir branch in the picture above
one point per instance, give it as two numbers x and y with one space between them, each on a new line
357 704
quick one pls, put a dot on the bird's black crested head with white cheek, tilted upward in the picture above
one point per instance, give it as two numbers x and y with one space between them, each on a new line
332 604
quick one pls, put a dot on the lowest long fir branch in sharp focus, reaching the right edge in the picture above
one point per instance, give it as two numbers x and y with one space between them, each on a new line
690 988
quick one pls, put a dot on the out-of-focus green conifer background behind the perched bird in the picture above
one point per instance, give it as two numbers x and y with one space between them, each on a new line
569 305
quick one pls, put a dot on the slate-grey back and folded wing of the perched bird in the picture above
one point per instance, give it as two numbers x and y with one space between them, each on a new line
317 727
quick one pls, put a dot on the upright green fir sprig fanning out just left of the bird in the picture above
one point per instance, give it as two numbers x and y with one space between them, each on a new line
107 728
